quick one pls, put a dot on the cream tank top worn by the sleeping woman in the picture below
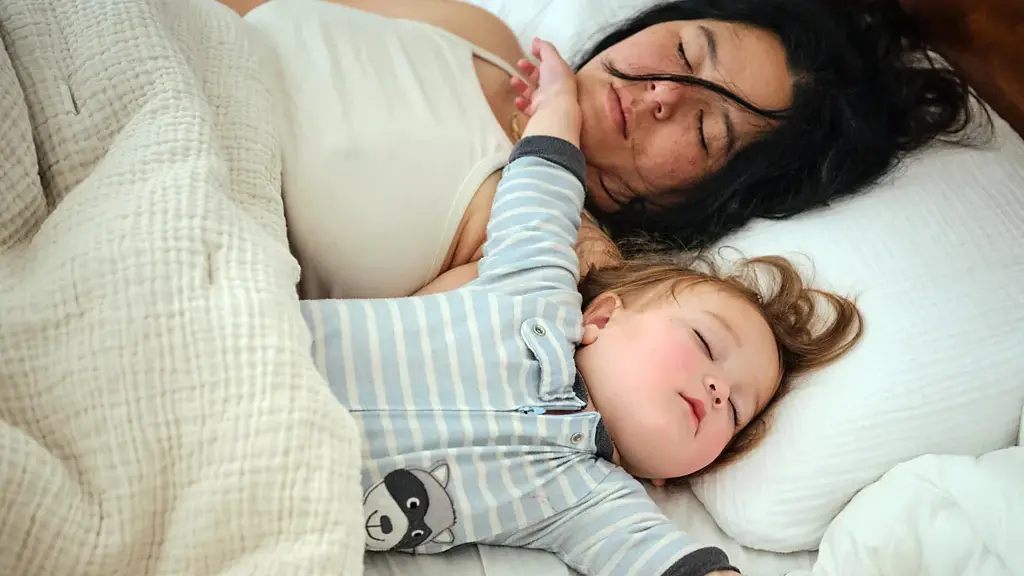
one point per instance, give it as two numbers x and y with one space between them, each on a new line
387 136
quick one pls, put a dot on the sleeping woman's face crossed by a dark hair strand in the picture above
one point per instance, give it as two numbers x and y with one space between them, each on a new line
644 140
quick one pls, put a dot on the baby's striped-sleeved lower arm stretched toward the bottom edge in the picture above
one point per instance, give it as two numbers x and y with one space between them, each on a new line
618 530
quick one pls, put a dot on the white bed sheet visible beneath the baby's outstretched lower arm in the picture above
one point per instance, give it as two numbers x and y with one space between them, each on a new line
679 504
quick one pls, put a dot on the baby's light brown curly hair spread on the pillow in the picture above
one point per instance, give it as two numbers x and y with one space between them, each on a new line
813 327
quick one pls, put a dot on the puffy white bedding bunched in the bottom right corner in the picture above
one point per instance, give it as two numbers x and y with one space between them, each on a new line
934 516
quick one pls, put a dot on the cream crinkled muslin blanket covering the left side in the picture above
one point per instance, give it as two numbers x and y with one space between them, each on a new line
159 412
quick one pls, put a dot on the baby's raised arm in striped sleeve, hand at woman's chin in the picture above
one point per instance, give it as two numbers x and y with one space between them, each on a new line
535 219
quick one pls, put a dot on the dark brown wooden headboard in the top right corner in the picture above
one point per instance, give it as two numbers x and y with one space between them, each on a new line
985 40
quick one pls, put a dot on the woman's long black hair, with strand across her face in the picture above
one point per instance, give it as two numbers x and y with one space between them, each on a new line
866 92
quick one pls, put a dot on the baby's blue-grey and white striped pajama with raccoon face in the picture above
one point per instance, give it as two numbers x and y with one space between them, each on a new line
454 395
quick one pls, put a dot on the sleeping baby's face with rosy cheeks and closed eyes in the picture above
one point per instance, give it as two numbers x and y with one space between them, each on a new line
676 379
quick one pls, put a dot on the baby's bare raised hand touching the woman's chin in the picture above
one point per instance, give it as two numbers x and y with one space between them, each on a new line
552 101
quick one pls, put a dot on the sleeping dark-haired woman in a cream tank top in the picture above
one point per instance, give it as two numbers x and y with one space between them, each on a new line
398 116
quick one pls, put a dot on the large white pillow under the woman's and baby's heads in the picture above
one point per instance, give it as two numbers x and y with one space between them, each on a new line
936 256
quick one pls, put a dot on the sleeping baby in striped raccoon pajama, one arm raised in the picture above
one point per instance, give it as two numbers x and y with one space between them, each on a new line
521 409
